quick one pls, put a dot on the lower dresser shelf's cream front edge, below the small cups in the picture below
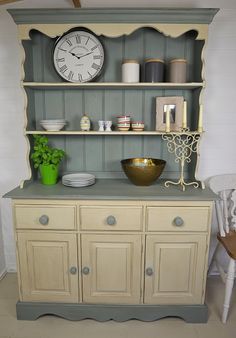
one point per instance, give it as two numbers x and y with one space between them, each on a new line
100 133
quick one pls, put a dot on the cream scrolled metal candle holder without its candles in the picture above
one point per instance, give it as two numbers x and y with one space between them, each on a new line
182 144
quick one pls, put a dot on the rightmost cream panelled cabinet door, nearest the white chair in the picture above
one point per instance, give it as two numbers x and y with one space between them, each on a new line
175 269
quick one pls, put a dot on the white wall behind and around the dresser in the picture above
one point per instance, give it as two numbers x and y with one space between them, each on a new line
218 153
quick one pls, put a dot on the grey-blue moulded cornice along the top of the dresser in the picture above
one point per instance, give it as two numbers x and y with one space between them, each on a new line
113 15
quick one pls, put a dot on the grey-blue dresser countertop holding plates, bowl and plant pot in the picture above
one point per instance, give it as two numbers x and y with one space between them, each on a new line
111 189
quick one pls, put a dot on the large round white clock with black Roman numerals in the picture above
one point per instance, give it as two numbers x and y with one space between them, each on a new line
78 56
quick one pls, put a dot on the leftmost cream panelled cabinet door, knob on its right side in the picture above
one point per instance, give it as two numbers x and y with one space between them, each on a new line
48 267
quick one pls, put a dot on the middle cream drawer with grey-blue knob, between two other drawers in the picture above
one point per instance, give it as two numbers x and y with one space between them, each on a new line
111 218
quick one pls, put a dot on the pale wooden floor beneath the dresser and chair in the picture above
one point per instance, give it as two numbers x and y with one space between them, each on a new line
50 326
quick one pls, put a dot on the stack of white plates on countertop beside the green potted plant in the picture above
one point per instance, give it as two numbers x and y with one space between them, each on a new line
78 180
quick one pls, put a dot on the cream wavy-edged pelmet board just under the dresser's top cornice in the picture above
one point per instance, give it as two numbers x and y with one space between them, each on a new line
111 30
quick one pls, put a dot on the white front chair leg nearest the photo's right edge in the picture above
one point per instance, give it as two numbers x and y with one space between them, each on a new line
228 288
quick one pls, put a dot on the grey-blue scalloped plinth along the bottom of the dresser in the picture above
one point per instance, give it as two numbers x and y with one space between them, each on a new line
105 312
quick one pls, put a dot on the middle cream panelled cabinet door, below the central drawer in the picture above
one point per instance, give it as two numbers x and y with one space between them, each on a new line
111 267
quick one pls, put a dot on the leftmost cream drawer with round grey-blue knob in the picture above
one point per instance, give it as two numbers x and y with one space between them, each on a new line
45 217
